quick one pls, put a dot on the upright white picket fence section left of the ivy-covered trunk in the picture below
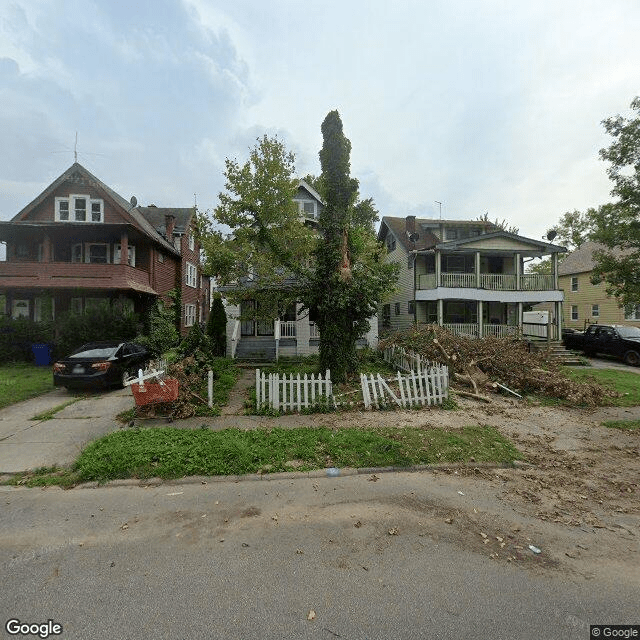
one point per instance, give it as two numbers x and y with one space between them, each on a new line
288 393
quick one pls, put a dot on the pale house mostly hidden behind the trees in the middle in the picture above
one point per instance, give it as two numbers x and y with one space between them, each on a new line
293 333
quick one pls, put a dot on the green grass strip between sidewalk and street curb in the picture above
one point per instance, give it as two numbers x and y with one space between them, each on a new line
169 452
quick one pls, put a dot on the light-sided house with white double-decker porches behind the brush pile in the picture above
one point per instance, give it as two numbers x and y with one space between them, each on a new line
467 276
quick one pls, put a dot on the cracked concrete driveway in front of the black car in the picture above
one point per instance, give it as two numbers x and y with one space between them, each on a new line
27 444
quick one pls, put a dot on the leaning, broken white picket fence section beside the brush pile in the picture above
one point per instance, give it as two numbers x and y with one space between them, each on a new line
425 387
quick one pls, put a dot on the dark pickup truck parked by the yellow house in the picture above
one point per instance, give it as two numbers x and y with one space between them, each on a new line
615 340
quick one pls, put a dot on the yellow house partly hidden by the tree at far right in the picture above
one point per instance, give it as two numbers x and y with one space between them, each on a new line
584 302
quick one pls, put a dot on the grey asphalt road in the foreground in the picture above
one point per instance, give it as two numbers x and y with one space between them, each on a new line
371 559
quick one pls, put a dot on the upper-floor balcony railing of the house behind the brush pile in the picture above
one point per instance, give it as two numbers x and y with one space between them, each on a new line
492 281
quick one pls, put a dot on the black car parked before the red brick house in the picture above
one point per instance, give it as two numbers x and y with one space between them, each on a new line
102 364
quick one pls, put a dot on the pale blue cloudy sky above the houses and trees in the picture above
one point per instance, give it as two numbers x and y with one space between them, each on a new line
483 105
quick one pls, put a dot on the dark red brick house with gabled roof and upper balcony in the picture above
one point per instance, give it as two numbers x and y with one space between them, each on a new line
79 243
